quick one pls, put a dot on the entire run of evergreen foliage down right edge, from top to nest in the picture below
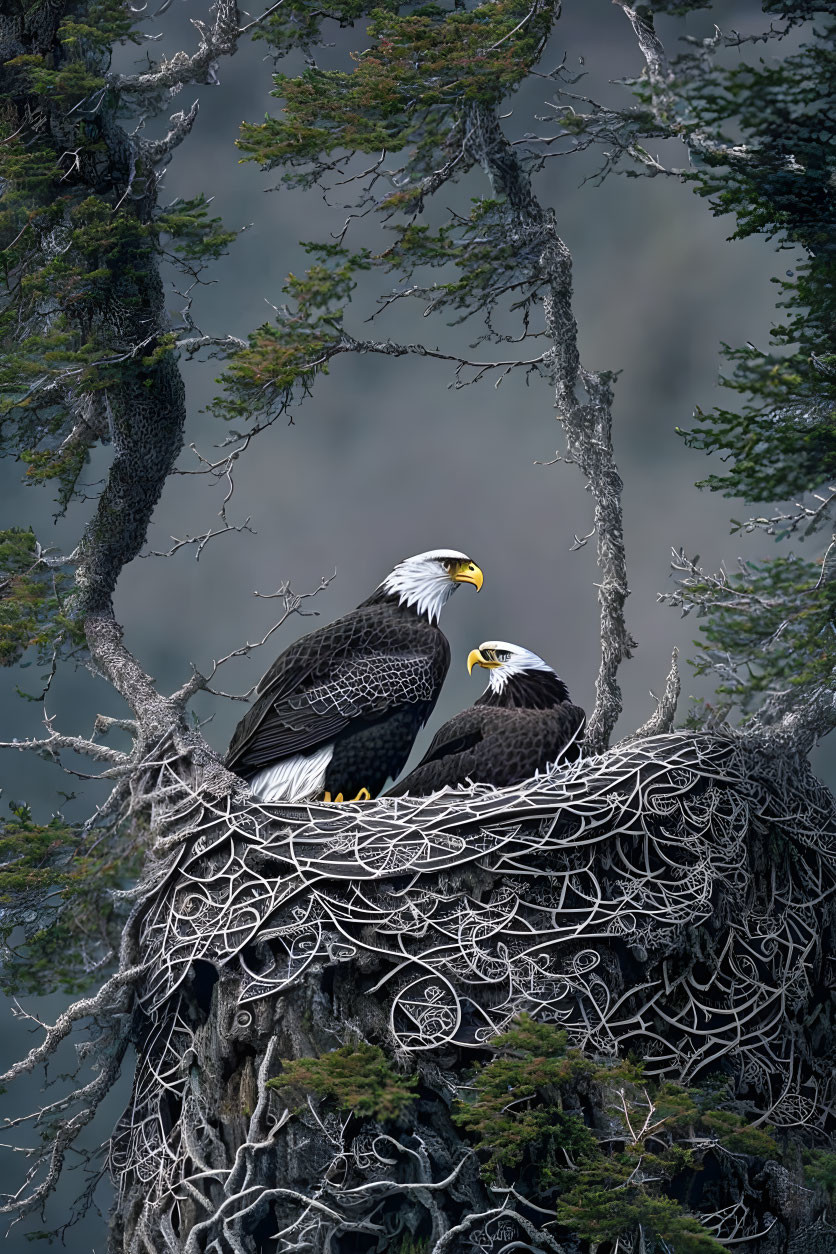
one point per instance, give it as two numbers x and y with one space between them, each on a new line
763 144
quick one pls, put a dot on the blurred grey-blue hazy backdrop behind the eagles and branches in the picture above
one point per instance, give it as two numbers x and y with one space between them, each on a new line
388 460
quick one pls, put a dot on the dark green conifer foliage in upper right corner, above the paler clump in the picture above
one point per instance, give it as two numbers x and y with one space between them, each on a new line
783 441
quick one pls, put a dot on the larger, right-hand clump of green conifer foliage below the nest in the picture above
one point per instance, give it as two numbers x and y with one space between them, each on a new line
609 1148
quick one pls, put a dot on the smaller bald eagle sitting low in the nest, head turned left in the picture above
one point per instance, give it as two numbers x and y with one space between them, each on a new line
522 723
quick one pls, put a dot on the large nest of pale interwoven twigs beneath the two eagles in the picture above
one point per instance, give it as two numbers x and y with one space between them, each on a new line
672 898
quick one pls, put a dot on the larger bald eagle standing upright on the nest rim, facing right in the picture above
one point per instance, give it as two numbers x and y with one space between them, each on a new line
338 713
